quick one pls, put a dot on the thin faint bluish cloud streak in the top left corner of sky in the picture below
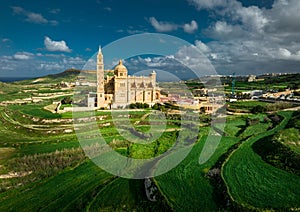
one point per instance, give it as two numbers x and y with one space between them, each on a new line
32 17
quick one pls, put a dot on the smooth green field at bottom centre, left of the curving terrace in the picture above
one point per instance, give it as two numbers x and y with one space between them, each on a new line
185 187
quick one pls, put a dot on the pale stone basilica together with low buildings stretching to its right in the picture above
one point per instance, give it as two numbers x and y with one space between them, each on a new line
118 90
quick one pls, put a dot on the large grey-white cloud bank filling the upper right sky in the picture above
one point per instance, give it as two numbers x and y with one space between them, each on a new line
252 39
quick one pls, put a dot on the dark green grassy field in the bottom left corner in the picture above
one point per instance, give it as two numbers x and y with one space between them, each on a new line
70 190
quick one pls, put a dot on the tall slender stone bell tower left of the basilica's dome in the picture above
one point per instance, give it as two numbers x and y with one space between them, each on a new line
100 80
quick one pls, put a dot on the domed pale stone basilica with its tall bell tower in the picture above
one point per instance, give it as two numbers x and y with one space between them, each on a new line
118 90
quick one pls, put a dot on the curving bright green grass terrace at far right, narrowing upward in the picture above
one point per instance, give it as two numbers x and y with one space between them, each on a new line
253 183
